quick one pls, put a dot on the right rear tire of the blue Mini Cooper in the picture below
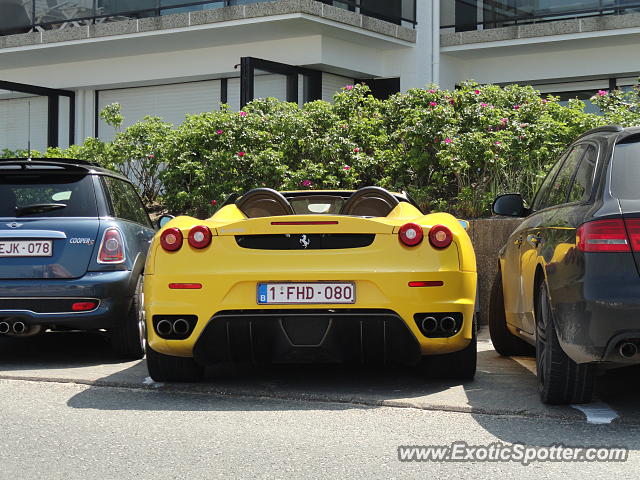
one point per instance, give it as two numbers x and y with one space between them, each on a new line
129 339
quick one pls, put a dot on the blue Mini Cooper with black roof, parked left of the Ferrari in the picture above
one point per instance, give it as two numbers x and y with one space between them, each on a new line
73 242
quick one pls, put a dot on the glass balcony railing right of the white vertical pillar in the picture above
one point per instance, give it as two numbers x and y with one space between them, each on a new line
464 15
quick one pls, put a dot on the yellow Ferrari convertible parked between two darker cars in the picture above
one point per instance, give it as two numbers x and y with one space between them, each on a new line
315 276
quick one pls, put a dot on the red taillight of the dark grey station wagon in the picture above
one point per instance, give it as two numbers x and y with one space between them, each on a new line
610 235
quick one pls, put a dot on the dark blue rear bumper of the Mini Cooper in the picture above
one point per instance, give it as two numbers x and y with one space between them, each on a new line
113 290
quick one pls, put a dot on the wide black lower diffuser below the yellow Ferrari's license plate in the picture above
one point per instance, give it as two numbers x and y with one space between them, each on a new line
307 336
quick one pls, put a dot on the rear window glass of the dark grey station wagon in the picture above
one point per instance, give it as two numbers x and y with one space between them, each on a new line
625 173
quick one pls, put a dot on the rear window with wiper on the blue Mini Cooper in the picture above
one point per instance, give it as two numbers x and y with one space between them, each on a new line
47 195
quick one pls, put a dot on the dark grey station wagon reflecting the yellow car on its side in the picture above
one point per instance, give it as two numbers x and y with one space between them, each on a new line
568 280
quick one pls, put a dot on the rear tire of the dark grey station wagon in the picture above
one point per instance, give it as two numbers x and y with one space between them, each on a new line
560 379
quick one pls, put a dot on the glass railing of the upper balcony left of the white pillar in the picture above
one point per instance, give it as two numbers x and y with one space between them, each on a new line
21 16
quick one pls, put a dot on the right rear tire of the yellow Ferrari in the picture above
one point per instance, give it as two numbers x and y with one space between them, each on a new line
459 365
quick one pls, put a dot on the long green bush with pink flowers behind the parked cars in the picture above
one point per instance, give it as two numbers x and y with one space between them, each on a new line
451 150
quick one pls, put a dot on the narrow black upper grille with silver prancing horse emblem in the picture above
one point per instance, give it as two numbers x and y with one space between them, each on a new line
320 241
